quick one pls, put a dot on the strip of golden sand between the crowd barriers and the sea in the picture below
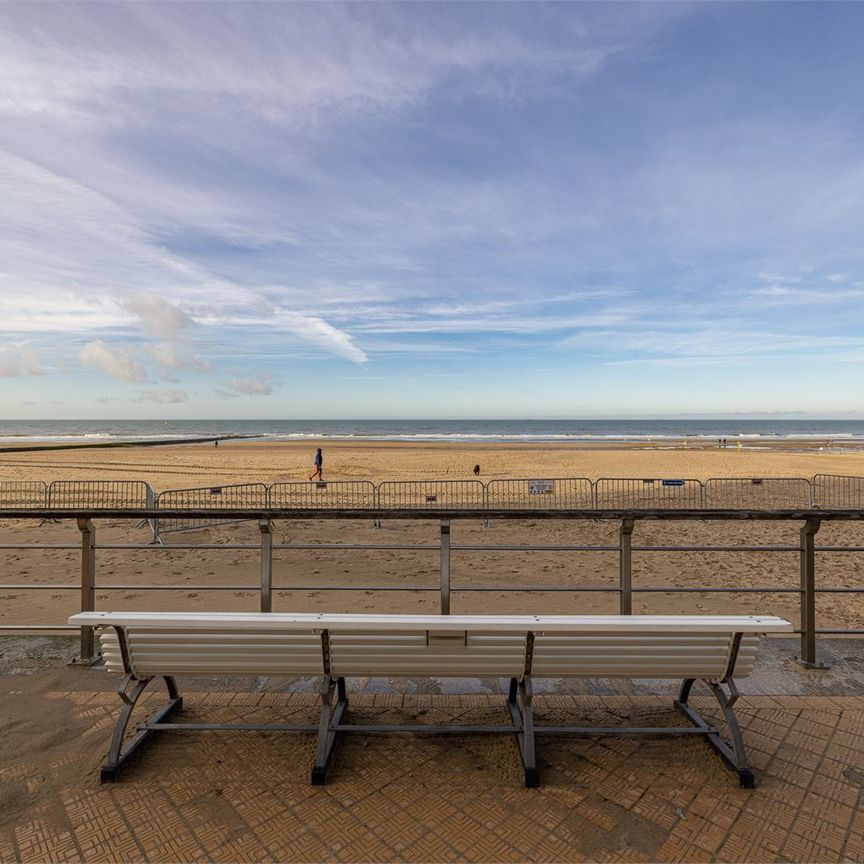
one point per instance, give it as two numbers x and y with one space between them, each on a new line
240 461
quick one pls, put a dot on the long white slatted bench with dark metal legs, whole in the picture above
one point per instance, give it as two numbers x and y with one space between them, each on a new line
712 649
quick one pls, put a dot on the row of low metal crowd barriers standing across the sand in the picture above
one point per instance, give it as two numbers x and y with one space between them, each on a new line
825 491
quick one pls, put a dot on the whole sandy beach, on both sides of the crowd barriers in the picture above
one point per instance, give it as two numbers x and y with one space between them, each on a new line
309 571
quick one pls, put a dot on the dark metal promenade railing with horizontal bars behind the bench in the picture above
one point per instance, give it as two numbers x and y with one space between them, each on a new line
807 590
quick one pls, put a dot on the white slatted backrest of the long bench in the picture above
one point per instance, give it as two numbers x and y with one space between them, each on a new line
545 646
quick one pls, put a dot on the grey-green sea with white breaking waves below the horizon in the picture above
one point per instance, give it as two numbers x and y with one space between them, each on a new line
550 431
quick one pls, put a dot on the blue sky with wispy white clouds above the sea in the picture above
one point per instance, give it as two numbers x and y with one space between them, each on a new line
442 210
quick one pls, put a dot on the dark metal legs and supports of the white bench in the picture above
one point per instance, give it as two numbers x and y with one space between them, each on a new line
334 706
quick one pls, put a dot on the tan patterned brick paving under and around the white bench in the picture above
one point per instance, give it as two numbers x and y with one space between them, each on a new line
233 796
